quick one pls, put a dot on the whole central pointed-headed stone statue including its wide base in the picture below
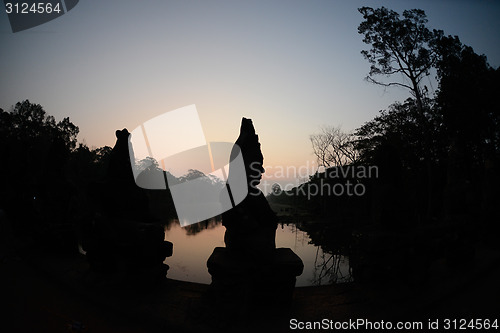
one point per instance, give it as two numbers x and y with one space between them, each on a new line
250 276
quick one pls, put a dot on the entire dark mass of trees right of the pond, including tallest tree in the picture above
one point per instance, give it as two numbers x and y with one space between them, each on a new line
433 201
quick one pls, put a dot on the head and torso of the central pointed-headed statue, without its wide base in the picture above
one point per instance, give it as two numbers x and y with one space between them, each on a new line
251 225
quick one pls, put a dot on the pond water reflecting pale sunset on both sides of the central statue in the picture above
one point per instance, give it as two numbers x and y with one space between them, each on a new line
194 244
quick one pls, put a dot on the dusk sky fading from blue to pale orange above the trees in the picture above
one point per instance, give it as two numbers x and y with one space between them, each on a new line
290 66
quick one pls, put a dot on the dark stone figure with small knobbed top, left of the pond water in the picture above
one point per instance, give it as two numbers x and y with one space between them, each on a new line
122 242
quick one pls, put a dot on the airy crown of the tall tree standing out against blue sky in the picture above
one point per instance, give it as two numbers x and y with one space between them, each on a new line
400 46
